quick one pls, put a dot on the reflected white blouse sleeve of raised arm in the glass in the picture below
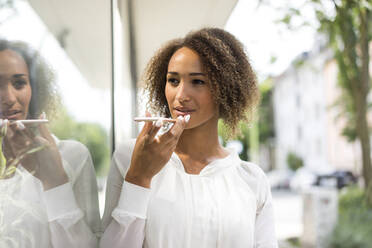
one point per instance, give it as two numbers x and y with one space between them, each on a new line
72 208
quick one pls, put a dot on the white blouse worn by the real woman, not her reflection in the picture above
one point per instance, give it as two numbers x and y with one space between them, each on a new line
227 205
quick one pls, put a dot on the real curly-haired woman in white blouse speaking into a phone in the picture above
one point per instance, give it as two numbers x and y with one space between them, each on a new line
182 188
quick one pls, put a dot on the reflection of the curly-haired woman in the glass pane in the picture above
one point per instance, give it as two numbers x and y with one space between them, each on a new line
51 199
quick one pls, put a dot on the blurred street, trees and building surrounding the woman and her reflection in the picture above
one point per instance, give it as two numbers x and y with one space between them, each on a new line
312 132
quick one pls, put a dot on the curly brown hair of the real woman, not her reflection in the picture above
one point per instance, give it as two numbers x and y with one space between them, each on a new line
232 80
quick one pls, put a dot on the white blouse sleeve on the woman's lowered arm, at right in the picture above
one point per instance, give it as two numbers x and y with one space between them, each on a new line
265 236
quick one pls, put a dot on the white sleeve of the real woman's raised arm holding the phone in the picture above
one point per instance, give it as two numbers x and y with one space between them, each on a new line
126 206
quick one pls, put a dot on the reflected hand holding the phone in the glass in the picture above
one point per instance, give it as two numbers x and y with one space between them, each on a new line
45 164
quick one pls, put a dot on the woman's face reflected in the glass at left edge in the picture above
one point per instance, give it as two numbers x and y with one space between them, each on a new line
15 88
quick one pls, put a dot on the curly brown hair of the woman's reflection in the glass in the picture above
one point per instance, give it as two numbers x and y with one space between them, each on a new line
45 97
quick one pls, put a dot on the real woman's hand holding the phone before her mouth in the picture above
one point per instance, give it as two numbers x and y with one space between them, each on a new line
151 153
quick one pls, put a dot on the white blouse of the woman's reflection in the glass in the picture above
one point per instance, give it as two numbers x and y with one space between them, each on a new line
64 216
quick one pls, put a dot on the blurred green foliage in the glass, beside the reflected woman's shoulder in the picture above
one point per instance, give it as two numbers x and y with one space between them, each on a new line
92 135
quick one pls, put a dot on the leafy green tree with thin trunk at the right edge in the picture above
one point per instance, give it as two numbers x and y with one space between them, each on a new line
347 24
